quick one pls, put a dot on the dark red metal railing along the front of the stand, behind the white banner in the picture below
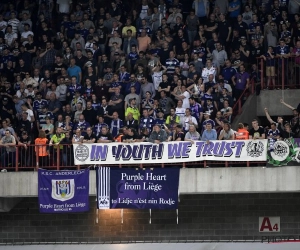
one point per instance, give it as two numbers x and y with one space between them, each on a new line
61 158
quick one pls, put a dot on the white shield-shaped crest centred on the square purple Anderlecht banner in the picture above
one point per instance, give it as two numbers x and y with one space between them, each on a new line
63 190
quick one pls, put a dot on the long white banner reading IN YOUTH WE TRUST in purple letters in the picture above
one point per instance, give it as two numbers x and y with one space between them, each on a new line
169 152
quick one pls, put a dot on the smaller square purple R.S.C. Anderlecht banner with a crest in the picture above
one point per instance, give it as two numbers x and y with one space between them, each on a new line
63 191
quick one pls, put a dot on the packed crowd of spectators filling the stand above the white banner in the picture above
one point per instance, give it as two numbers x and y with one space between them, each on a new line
103 71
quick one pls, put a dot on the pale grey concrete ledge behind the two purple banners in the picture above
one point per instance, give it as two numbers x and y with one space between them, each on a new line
192 181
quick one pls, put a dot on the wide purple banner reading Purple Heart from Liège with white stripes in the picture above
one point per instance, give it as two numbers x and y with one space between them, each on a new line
137 189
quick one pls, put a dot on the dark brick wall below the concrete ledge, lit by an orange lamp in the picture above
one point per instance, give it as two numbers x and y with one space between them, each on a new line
201 217
